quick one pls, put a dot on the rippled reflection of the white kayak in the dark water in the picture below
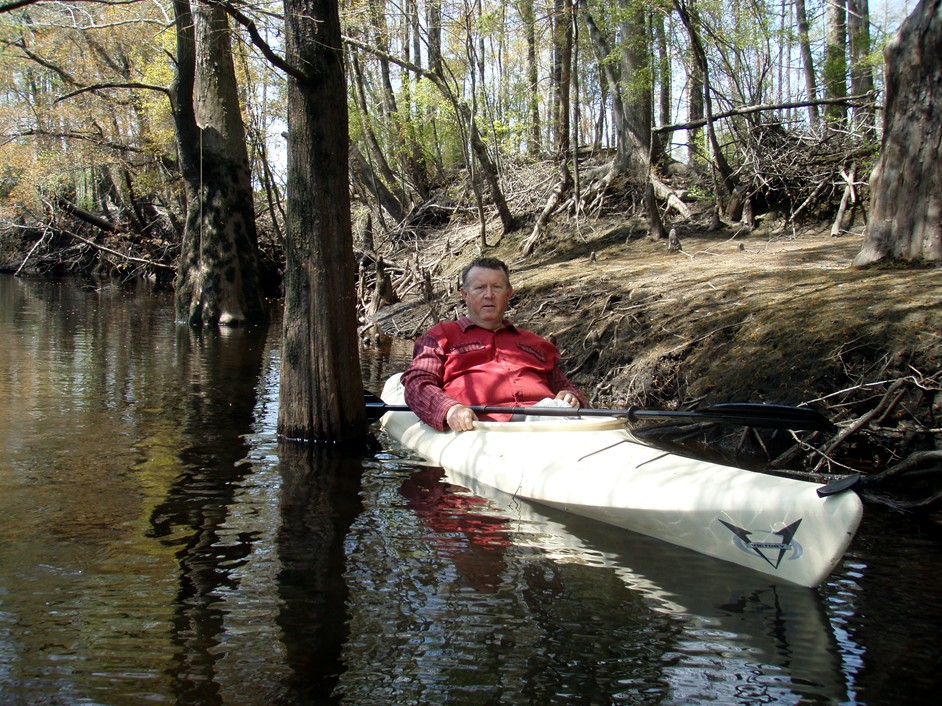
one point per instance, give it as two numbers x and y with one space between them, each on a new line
775 632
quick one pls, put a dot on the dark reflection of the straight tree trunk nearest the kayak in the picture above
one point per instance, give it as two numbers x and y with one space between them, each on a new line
319 501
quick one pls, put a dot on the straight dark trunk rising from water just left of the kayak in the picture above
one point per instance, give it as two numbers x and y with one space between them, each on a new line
321 389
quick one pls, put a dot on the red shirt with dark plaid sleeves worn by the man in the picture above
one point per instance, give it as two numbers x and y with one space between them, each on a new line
457 362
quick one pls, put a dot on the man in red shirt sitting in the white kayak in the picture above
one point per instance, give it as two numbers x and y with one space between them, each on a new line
482 358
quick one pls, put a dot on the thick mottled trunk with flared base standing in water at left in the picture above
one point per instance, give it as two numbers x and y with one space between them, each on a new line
217 276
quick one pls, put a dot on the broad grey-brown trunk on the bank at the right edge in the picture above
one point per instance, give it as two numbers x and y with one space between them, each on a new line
906 185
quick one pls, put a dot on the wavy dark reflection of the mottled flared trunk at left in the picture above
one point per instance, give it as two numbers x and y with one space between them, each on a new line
223 369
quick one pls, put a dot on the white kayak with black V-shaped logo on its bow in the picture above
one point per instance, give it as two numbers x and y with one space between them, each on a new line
597 469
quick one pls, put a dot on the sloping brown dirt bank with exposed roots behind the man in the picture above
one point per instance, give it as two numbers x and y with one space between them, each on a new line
774 315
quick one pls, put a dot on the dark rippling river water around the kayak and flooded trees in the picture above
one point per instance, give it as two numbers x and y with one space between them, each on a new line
159 545
